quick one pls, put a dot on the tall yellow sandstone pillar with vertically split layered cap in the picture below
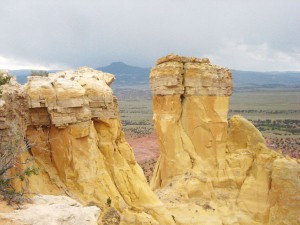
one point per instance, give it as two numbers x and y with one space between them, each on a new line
190 106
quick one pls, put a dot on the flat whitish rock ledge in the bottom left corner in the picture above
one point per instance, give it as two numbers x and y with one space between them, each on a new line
54 210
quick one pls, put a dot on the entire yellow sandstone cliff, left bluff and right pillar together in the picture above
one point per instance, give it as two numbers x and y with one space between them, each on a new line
209 171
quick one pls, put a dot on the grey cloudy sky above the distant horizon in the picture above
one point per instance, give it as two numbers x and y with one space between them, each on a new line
259 35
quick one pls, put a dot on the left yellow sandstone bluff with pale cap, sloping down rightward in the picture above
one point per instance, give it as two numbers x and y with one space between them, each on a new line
72 125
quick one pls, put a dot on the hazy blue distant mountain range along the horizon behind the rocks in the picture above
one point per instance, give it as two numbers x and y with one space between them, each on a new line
128 76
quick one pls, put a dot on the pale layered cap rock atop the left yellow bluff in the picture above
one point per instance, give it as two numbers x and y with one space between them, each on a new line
71 97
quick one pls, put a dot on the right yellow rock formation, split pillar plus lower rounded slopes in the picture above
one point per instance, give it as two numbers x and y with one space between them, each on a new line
207 174
